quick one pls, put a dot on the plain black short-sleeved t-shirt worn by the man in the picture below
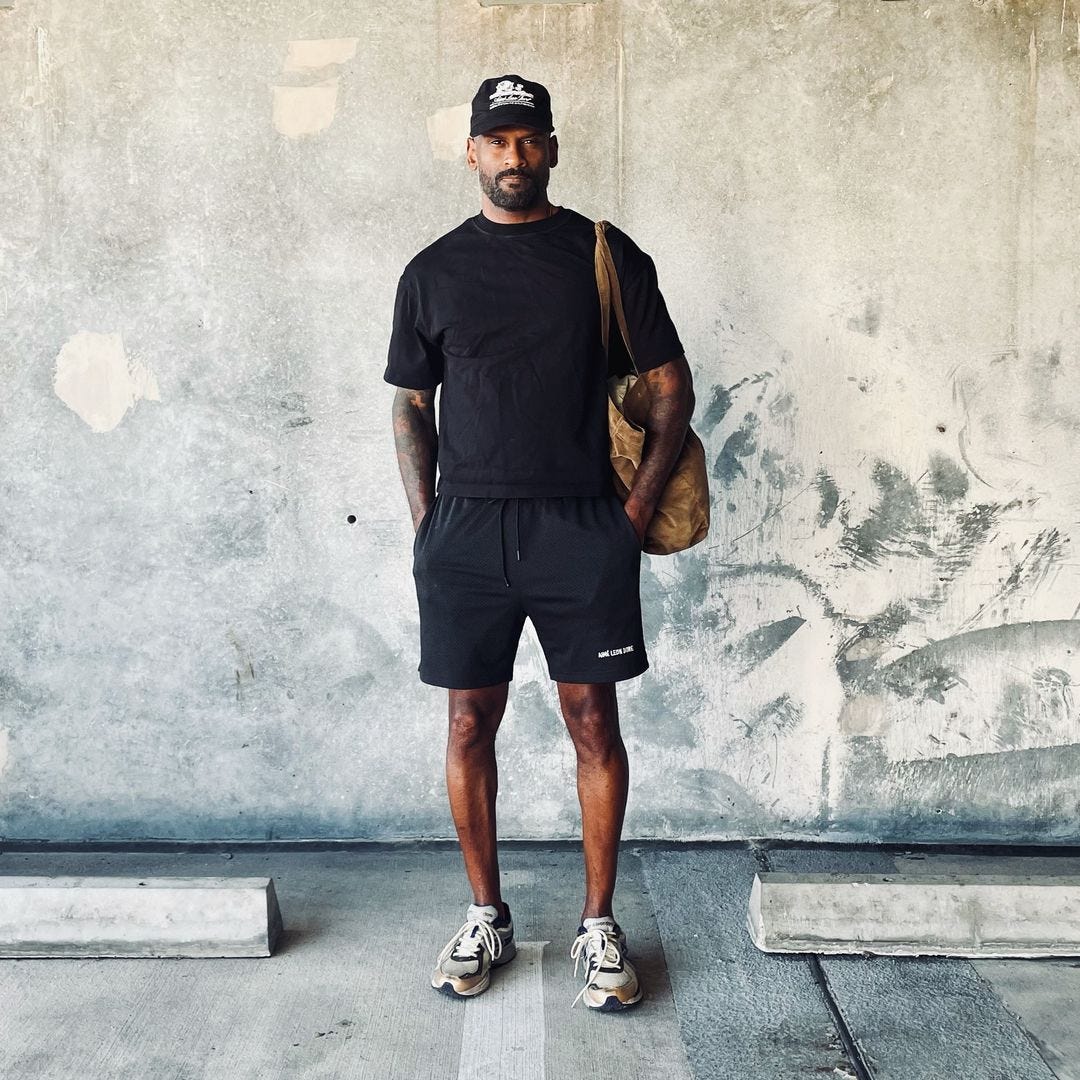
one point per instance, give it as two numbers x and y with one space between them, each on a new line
507 318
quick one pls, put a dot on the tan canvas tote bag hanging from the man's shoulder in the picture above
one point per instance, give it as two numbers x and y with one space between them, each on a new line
682 518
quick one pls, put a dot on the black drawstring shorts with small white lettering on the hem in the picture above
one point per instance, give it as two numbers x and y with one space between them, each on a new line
572 564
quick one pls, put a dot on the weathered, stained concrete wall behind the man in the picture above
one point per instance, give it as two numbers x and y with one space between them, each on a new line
866 221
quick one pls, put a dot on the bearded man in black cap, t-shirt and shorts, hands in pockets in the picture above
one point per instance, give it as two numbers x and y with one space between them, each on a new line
504 314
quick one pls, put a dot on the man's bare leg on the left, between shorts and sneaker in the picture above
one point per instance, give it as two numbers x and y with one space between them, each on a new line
472 784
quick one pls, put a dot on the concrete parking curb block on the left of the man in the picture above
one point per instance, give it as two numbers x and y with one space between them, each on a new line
138 917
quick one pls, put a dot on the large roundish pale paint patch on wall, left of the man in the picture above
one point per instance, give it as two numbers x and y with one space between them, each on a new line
99 382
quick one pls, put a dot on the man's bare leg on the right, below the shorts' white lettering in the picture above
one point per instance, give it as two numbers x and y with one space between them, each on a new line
591 712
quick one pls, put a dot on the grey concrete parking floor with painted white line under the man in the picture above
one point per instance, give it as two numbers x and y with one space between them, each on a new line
347 994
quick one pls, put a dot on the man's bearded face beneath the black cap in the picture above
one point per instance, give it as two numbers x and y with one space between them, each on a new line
515 165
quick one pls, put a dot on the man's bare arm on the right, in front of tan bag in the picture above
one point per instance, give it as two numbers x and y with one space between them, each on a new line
671 407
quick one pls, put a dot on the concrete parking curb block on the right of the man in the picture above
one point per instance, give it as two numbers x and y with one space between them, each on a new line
917 915
